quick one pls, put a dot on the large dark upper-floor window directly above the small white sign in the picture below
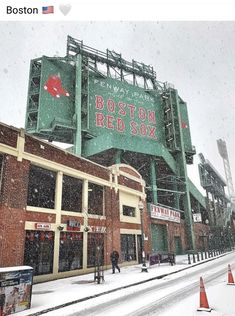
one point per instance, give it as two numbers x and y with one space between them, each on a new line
41 187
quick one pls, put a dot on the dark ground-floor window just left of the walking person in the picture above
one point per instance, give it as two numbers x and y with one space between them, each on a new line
95 252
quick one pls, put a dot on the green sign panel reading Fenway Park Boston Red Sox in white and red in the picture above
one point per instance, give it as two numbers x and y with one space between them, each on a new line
121 108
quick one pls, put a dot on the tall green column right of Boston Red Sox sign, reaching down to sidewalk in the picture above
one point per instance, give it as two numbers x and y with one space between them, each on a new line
181 161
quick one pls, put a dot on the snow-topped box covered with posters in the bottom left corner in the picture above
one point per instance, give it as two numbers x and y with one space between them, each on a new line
15 289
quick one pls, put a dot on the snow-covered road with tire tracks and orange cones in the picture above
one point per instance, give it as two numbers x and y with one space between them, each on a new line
176 294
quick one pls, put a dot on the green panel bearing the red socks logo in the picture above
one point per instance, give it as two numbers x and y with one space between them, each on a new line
56 93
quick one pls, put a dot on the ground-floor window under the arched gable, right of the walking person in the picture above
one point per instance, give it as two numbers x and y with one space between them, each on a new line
128 247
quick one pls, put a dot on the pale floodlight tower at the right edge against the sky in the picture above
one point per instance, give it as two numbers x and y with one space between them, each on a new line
224 154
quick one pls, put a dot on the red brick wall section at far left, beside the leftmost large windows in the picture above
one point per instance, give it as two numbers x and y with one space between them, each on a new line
12 211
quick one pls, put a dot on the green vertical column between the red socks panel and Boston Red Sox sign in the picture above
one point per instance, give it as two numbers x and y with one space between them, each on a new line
78 105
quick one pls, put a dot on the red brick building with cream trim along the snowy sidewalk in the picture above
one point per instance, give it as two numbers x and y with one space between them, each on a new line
57 210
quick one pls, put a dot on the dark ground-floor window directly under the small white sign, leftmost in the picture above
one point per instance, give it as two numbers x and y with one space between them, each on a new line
39 251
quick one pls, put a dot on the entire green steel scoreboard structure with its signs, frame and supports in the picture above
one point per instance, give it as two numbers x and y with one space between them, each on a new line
115 111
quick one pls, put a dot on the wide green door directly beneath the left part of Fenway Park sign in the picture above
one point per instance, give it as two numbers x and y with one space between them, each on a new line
159 238
